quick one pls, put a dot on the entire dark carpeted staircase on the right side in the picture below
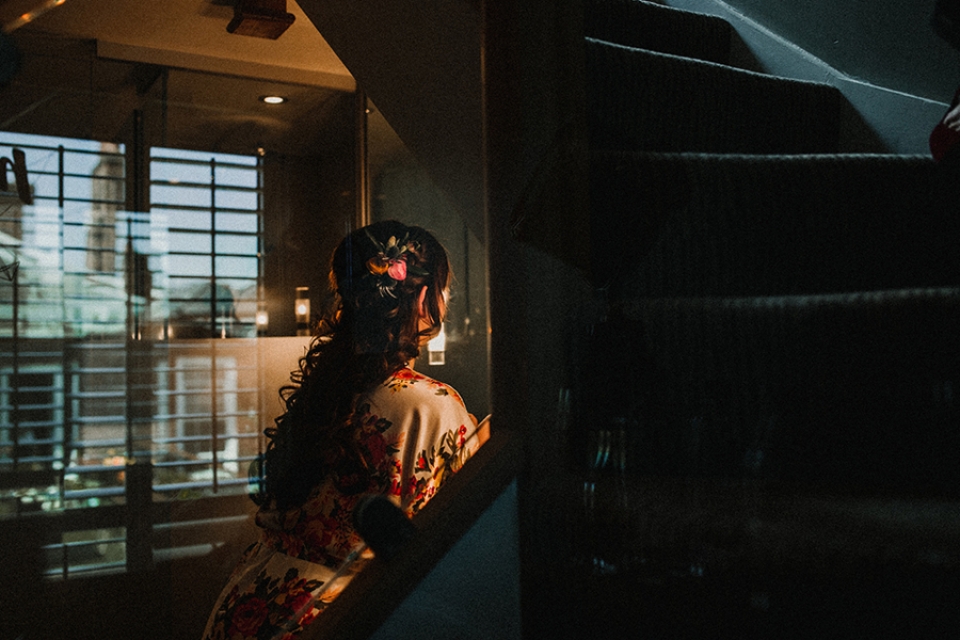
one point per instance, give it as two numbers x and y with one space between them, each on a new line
773 437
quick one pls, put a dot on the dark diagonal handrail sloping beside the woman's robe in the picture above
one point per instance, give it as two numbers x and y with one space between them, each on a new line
383 585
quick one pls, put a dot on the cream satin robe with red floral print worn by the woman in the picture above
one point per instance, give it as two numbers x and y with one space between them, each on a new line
414 431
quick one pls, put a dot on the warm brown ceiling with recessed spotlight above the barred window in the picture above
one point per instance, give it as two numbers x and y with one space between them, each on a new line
88 64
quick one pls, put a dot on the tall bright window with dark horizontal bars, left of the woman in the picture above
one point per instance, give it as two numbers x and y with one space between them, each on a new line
117 390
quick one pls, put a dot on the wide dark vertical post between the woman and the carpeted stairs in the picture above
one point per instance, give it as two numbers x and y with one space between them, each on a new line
537 216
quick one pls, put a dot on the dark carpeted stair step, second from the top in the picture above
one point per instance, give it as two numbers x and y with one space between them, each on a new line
639 100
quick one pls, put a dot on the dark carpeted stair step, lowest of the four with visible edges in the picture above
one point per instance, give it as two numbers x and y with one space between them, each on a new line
851 391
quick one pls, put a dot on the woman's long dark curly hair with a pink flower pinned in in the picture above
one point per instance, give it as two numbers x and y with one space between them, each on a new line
375 331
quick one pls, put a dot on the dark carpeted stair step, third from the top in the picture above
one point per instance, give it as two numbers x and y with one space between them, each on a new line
742 225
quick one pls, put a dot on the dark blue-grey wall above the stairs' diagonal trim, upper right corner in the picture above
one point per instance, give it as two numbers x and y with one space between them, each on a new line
889 43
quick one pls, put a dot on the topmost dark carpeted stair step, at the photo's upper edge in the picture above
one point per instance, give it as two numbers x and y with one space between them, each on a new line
646 25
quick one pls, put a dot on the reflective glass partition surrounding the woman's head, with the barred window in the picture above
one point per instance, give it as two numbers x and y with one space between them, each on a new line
157 226
